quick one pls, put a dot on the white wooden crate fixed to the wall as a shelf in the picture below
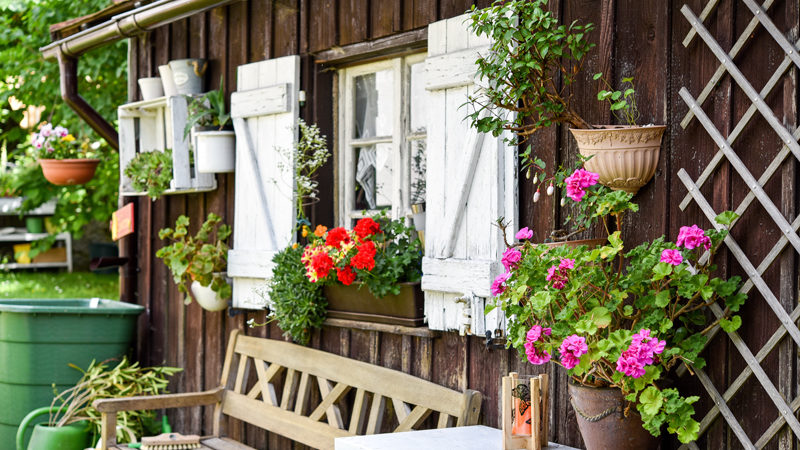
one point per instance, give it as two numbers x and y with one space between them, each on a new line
156 125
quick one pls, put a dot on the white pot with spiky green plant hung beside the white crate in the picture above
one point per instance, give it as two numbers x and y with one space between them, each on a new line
214 145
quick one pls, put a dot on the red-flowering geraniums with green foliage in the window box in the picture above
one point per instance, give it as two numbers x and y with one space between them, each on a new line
380 254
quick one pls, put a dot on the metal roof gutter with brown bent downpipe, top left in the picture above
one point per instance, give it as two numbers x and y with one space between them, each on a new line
121 26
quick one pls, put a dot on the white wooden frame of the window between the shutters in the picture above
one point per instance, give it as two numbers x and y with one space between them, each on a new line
402 138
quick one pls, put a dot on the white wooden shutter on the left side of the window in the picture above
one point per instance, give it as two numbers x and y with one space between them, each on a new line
265 115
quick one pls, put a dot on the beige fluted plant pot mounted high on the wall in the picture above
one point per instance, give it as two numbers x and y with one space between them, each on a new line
625 157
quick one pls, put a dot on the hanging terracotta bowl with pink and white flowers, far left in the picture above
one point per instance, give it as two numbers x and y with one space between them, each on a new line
64 160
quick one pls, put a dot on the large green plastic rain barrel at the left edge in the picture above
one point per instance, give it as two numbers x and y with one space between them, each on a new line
38 341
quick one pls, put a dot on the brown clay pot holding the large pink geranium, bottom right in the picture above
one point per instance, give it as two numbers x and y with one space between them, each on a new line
603 426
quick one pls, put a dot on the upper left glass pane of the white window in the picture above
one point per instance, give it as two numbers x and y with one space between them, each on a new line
374 104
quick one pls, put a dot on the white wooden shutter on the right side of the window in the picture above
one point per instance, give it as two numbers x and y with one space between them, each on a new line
471 181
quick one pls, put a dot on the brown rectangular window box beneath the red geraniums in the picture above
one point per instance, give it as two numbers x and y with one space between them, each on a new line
350 302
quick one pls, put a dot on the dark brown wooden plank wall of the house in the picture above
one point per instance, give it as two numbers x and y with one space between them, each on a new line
638 38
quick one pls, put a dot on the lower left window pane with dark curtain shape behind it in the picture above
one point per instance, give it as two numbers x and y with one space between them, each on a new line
374 176
